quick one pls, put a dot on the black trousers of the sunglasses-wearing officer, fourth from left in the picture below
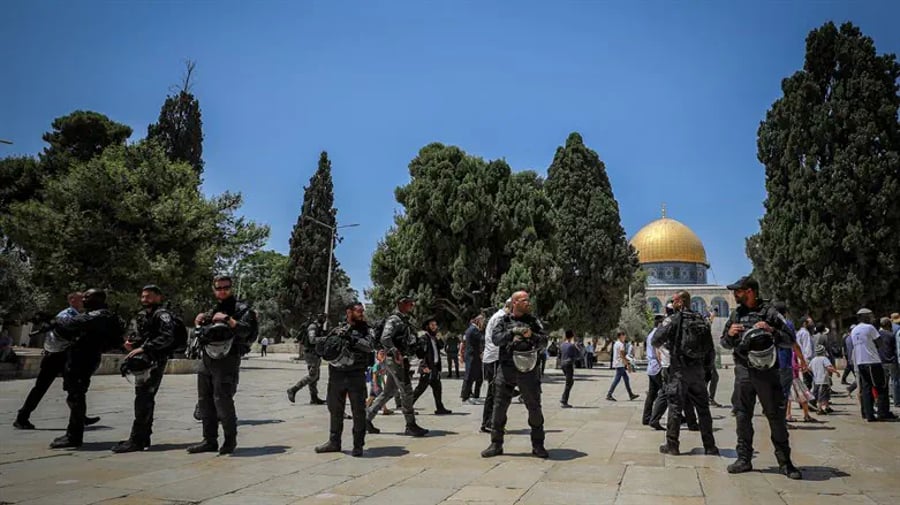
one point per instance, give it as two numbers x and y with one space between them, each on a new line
216 385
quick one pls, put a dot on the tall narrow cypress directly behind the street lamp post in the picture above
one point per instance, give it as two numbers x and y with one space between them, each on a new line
307 270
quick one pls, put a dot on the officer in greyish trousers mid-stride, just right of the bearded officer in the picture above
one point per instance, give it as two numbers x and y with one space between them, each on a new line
398 341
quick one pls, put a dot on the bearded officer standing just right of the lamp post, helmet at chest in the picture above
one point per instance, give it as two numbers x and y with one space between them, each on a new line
349 349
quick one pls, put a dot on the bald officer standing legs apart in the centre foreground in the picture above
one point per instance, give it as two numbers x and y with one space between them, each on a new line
520 337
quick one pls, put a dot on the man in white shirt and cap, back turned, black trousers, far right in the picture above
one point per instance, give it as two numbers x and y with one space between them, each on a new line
869 370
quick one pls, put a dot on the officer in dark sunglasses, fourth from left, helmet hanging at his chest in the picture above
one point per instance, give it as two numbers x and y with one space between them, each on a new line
225 334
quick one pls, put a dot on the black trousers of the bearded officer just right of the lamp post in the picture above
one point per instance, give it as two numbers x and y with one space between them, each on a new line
341 385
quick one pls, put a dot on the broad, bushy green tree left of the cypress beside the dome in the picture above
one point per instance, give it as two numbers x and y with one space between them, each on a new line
472 232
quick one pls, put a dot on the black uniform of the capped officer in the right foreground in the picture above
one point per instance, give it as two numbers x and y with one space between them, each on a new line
750 383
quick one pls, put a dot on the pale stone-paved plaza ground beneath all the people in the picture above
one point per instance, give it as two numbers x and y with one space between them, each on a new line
599 453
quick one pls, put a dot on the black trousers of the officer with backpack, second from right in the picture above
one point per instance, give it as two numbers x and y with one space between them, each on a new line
685 392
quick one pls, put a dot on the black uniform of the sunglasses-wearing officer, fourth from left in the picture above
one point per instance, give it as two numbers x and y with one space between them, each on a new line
218 378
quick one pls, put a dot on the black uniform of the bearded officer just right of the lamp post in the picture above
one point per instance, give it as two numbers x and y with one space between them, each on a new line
347 378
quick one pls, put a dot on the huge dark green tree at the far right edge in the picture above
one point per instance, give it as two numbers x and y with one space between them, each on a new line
831 150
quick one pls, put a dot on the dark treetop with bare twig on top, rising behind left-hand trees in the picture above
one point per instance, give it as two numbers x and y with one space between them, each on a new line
179 129
